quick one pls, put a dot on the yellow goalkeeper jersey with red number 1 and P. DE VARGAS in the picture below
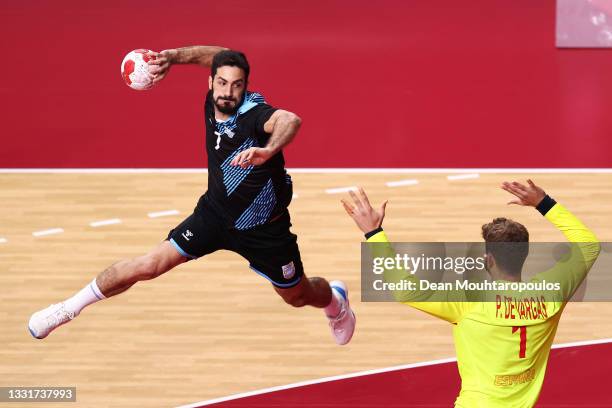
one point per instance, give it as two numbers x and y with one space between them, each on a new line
503 347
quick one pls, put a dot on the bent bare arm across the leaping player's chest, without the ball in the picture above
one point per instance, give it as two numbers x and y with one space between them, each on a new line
282 127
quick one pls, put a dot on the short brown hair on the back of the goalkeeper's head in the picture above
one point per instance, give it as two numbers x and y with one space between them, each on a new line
508 242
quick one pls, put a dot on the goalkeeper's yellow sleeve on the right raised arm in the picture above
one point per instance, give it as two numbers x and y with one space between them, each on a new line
585 248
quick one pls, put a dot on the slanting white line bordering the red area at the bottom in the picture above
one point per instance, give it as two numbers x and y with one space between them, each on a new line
364 373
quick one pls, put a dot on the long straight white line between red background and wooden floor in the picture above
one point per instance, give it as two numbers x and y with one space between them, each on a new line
340 170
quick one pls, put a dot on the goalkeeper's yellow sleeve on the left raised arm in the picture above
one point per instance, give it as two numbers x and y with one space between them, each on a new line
428 301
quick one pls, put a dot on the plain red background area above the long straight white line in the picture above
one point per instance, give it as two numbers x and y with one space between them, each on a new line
422 83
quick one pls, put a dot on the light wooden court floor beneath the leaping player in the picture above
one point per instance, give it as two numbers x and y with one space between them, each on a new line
212 327
